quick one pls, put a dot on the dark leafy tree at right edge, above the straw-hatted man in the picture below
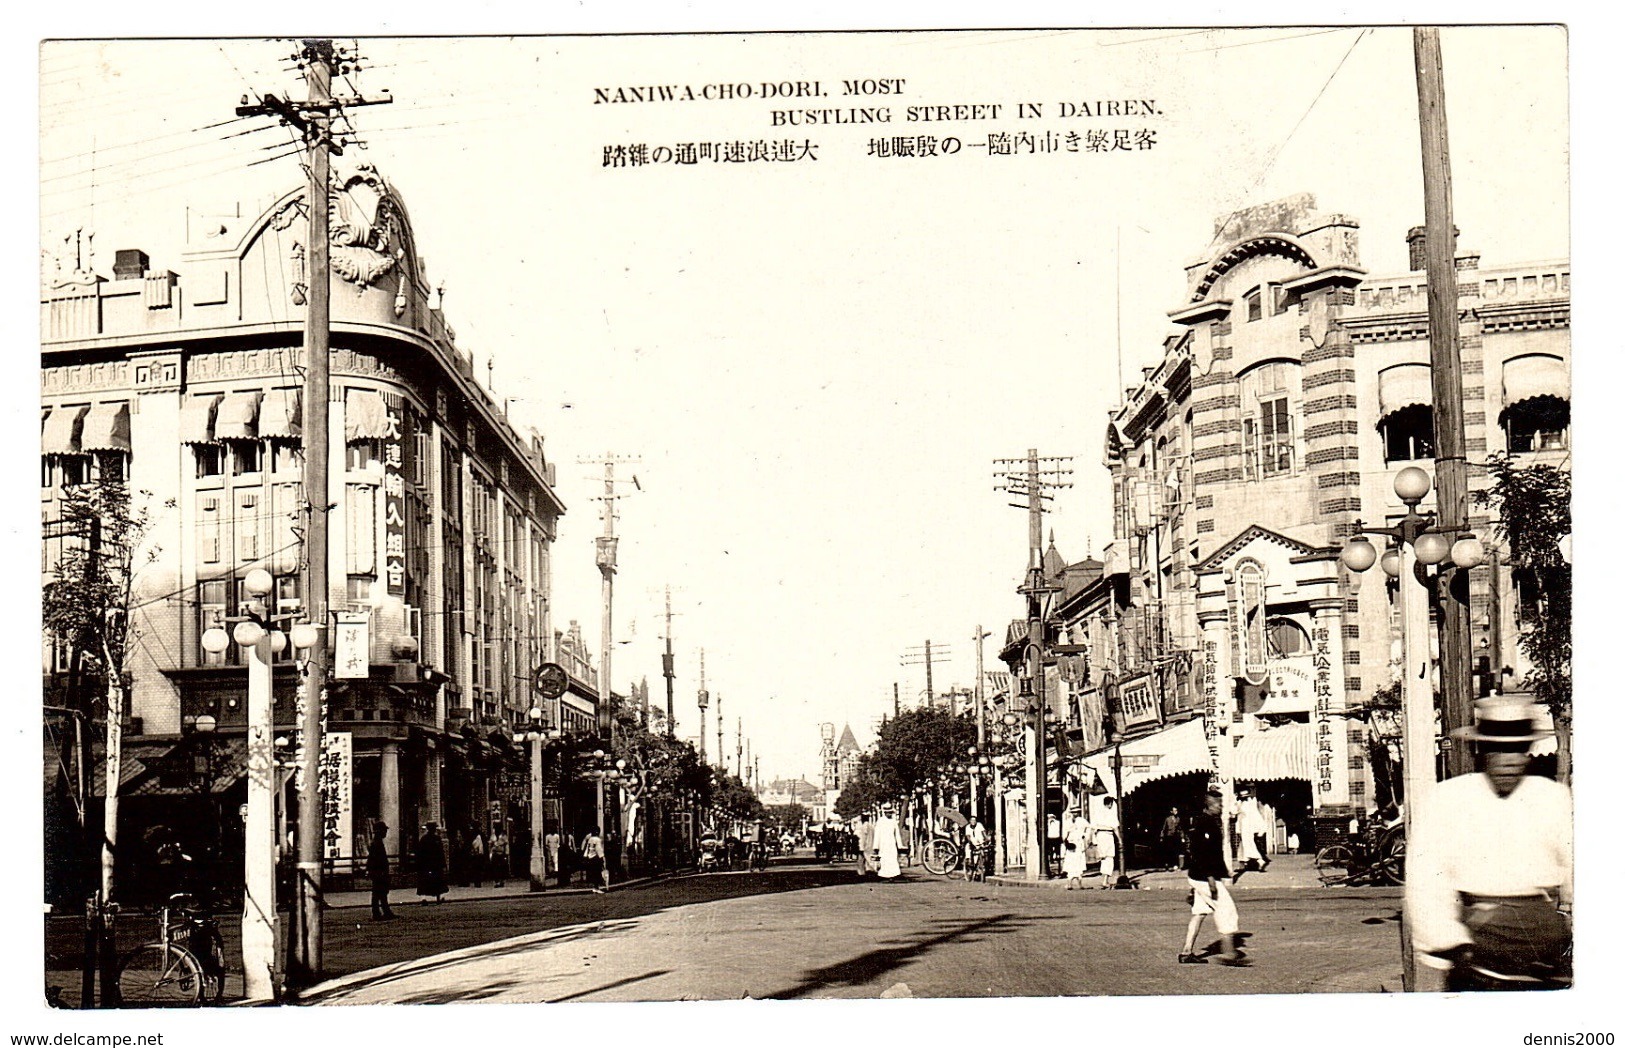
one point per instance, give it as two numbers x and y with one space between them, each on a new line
1533 518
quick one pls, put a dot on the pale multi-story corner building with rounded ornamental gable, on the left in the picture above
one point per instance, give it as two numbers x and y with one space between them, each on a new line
189 386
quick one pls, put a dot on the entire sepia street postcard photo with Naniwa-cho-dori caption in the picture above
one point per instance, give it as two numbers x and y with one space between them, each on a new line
644 518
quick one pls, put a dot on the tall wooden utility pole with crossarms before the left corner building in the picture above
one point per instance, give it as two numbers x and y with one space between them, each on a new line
314 123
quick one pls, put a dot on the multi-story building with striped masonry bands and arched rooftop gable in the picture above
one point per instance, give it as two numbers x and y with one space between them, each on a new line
1294 391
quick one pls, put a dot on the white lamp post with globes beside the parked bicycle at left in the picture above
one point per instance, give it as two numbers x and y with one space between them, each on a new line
258 634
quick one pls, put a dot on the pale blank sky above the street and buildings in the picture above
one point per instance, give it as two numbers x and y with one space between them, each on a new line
815 365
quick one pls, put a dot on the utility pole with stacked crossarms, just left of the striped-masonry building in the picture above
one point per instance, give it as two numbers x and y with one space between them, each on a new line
1033 477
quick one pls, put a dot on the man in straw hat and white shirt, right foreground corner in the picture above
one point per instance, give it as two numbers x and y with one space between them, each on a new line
1493 862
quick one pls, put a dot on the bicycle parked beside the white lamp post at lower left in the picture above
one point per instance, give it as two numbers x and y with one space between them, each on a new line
184 968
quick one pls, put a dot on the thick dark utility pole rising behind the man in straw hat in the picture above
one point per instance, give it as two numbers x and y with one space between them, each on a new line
1450 435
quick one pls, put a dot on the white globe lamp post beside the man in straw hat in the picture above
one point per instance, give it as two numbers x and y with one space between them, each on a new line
1419 543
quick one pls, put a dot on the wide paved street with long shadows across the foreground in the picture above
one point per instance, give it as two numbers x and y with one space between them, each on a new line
802 932
